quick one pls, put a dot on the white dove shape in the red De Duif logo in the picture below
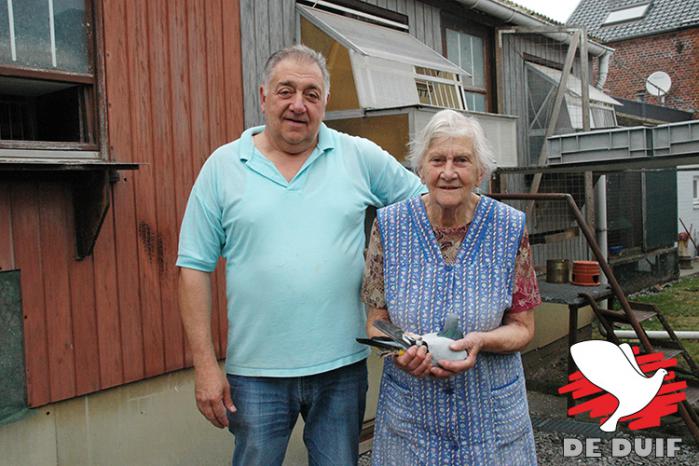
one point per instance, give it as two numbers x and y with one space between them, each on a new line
614 369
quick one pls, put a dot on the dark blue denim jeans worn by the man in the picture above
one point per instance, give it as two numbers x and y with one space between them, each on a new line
331 404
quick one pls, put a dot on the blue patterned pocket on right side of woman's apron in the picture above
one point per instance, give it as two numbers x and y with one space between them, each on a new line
510 411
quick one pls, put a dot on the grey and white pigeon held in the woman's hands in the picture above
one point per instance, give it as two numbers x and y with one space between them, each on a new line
437 343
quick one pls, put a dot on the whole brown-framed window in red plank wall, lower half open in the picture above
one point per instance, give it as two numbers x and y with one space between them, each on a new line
47 79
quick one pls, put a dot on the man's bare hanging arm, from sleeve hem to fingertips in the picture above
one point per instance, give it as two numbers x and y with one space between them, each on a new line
211 388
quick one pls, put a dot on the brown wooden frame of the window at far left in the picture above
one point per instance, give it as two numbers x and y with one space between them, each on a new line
93 141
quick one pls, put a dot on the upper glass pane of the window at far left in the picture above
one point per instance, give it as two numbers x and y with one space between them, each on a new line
35 46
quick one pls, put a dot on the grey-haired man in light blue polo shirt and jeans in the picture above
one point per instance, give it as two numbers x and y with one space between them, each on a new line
284 205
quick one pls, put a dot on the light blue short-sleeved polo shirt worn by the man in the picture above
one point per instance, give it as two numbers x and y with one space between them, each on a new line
293 250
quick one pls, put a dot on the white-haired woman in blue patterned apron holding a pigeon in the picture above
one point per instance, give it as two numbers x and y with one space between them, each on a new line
453 251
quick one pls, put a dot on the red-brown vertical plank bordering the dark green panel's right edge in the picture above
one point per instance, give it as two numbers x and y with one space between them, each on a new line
25 227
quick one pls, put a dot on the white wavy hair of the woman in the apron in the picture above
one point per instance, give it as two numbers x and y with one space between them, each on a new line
451 124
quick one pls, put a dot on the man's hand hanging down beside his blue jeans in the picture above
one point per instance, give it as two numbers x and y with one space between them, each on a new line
213 395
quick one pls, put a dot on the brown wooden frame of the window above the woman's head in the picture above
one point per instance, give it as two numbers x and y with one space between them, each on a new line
486 35
